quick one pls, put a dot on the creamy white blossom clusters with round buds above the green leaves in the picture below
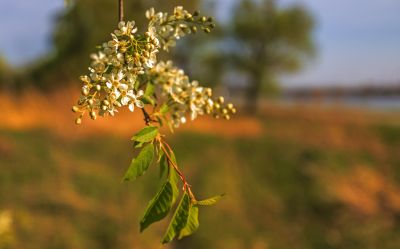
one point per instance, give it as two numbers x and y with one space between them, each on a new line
124 66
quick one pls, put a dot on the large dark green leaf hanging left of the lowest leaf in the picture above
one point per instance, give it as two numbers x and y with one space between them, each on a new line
158 207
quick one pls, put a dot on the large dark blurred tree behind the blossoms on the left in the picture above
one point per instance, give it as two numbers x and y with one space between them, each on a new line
84 25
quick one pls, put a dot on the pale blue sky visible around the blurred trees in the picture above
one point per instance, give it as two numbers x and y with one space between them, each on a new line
358 40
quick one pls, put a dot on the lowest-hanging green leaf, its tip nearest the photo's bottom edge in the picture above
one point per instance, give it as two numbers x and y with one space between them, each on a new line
179 219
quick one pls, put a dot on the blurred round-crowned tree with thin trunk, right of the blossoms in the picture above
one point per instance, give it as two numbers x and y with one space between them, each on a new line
266 41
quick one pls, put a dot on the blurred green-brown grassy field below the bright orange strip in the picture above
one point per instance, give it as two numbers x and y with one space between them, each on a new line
336 186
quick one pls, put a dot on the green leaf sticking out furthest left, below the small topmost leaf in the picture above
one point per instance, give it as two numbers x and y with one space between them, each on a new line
140 164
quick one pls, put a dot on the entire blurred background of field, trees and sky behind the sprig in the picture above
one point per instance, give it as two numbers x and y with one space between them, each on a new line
312 160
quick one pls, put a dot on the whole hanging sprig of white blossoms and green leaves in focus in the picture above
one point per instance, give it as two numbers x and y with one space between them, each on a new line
125 72
